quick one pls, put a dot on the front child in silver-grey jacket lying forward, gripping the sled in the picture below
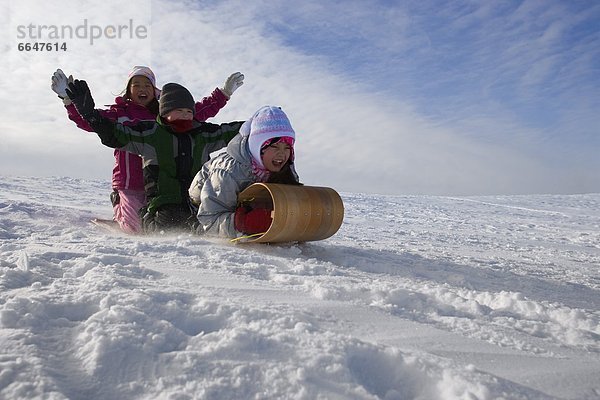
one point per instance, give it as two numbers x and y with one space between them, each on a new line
263 152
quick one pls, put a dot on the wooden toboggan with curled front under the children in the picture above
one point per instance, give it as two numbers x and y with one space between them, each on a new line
299 213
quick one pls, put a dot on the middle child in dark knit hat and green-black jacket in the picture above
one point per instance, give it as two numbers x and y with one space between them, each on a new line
173 149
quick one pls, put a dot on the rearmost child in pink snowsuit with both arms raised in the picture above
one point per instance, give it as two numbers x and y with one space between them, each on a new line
139 103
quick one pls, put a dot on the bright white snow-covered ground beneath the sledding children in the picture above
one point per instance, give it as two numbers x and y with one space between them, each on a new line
416 297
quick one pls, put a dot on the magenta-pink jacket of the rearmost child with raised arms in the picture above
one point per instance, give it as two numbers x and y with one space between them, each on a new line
127 173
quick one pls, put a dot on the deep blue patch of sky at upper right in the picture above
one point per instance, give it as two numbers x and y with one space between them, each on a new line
523 58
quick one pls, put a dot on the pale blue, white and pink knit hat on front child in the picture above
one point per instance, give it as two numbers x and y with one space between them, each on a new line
267 123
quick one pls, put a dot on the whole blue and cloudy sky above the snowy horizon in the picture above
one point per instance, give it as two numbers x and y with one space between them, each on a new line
407 97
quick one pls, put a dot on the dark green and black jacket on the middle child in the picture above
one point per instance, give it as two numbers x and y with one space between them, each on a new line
170 159
